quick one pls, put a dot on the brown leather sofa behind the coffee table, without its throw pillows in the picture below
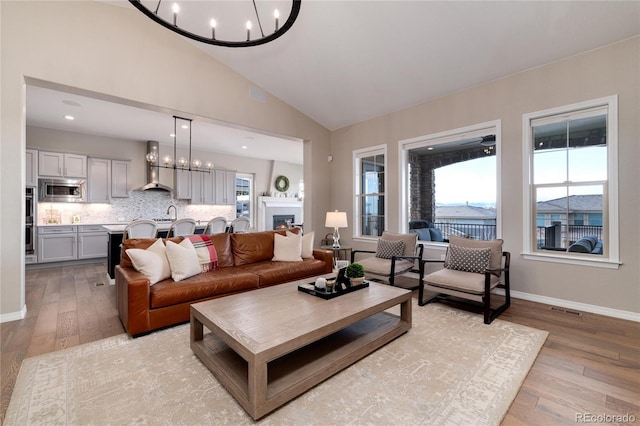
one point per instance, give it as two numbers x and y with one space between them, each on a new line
244 263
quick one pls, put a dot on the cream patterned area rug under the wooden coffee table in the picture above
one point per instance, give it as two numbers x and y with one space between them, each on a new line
450 368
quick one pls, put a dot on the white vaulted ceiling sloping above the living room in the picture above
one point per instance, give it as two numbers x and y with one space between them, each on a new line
347 61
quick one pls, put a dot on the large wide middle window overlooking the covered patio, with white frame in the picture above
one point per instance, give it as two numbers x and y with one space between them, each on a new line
450 182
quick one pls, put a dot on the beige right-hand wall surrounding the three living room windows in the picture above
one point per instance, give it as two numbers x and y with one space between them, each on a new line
599 73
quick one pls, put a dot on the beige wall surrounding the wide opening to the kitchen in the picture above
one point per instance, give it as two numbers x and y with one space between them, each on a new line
122 54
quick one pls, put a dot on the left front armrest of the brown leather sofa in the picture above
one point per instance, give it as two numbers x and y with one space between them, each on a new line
132 295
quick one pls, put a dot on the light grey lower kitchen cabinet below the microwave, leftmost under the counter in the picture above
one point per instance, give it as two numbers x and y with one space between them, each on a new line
57 243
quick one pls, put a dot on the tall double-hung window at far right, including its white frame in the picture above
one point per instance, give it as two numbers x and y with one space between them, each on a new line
571 182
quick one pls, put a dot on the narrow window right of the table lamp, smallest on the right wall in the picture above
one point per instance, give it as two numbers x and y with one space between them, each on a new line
369 208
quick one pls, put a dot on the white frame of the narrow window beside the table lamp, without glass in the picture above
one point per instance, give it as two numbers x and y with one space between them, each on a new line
358 154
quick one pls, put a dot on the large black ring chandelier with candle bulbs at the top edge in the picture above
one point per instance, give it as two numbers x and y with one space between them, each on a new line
170 21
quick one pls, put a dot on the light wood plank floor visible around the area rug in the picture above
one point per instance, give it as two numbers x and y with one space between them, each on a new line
589 365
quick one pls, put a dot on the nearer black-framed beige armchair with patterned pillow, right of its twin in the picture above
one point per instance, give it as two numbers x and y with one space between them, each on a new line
473 269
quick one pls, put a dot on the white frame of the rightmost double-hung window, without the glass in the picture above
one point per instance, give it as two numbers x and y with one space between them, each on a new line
610 258
